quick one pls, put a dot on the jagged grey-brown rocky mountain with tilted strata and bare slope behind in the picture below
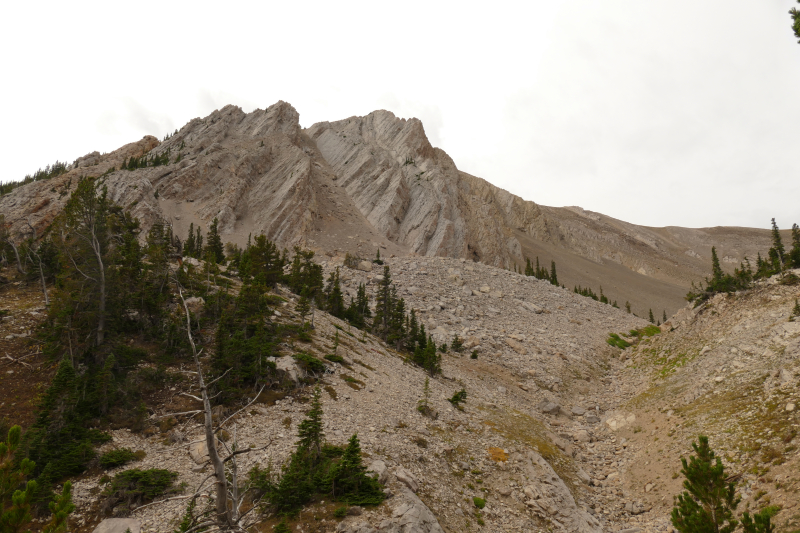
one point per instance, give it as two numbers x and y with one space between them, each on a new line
376 181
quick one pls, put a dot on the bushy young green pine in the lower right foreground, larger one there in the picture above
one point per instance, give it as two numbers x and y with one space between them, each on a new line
708 503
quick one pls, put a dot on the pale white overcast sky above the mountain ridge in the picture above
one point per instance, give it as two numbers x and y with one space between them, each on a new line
659 113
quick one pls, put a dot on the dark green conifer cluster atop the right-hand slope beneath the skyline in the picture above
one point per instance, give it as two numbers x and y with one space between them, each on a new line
778 261
